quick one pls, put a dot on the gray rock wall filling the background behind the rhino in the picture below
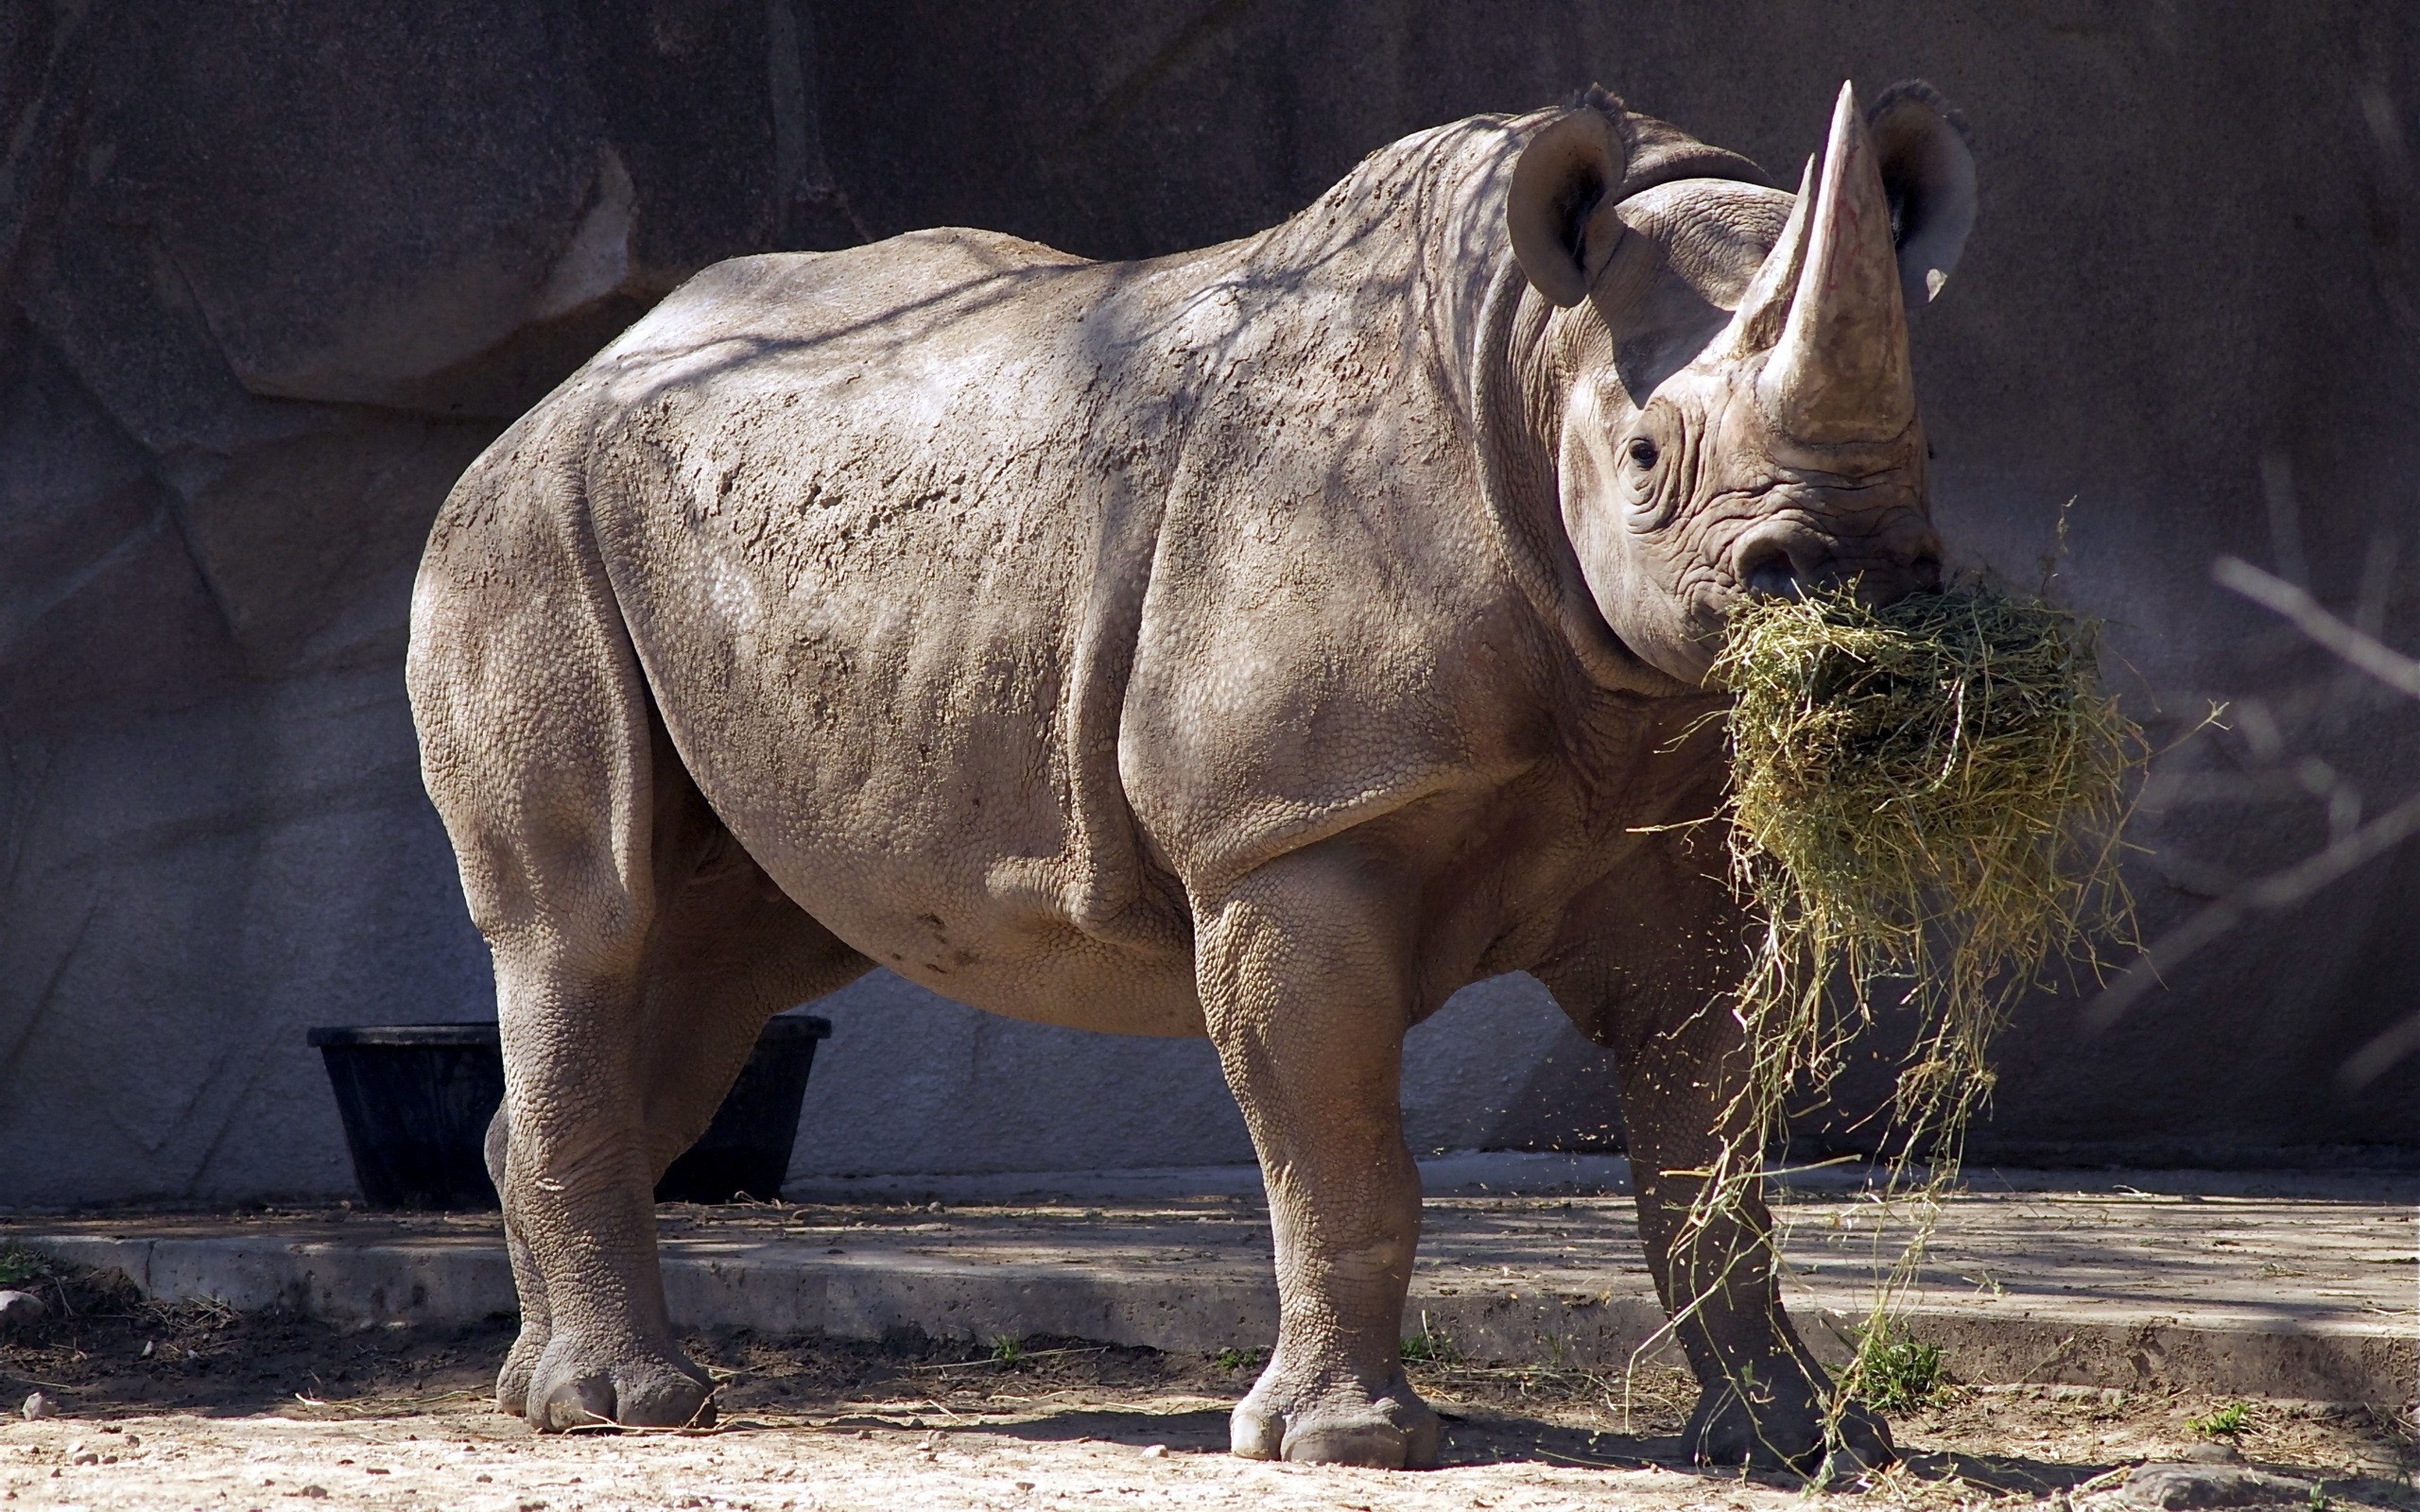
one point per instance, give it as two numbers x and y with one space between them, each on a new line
270 275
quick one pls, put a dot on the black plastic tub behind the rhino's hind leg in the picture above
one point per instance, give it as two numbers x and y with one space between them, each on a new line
417 1102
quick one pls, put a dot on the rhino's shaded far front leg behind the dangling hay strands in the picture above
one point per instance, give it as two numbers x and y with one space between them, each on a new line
1765 1400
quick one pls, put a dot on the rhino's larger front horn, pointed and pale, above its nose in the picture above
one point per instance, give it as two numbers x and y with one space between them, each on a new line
1840 369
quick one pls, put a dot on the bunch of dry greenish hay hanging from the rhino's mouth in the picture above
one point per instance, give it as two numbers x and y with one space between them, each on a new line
1925 809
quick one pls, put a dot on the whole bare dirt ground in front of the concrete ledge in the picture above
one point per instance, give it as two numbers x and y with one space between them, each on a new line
204 1409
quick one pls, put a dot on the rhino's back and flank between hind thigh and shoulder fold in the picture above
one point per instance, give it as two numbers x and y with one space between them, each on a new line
880 526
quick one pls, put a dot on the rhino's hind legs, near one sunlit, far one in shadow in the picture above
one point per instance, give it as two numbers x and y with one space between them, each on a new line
638 952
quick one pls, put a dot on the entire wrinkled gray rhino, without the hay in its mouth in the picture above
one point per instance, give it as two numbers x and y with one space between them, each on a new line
1257 642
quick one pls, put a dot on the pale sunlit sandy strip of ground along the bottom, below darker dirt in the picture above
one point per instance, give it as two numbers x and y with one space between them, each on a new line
1064 1448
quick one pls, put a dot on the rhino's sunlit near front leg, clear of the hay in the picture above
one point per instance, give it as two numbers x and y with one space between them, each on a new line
1303 981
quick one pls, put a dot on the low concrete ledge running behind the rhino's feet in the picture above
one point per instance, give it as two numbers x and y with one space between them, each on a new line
2116 1291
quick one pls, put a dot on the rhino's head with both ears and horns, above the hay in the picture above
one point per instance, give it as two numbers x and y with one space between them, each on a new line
1736 410
